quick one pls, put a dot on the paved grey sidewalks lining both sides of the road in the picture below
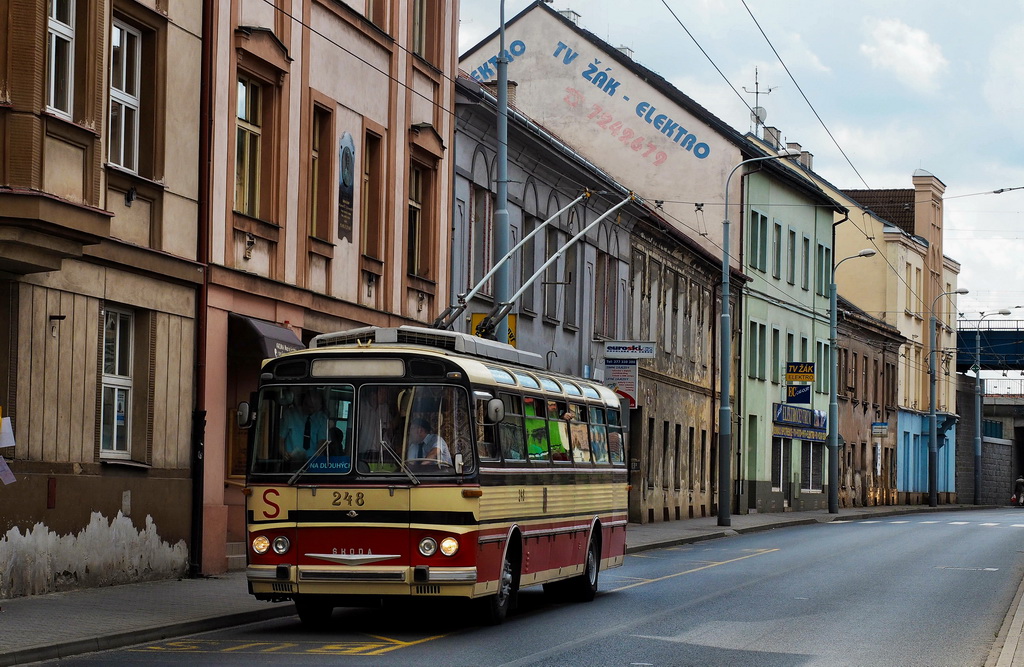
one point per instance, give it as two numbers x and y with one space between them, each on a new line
59 626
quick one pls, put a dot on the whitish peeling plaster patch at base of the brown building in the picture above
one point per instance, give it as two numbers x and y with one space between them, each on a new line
105 554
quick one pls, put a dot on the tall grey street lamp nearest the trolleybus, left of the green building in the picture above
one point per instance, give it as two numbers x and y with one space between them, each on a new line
726 407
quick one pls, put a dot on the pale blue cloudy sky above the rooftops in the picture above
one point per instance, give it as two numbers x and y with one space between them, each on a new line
899 86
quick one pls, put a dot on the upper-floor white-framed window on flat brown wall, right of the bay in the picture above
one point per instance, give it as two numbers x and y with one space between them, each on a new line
126 60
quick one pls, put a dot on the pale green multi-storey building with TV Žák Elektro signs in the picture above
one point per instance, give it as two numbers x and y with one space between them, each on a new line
788 257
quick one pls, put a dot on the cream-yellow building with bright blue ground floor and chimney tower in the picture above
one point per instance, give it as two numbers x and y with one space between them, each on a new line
905 284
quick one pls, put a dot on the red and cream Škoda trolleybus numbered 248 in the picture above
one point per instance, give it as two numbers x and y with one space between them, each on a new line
413 463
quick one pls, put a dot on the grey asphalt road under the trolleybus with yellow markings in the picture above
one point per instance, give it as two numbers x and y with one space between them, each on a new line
927 590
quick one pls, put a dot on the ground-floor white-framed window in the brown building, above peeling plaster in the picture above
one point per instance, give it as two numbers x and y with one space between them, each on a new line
117 385
